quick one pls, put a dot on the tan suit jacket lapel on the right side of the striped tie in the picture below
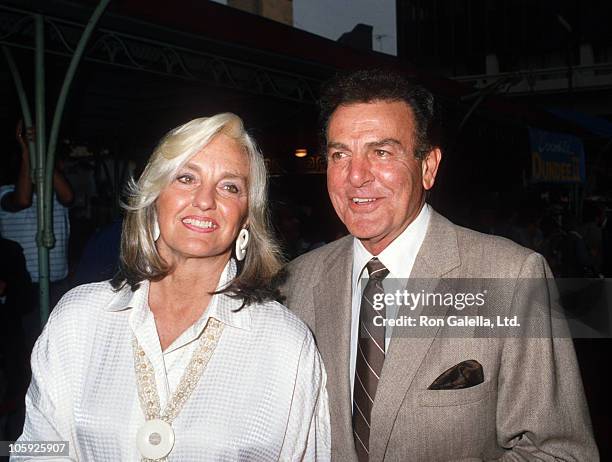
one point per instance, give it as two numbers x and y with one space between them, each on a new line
438 255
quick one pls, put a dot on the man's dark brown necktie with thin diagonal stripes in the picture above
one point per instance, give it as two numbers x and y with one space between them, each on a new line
370 358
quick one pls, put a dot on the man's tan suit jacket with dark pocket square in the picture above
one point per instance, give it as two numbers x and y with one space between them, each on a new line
530 406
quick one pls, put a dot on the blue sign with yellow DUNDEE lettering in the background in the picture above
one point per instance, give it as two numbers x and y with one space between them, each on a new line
556 157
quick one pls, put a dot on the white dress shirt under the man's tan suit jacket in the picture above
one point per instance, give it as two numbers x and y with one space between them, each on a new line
398 257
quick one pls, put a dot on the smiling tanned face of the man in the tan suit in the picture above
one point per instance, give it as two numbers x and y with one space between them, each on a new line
375 183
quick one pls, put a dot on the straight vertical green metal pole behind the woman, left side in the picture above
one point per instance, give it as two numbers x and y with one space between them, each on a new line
43 251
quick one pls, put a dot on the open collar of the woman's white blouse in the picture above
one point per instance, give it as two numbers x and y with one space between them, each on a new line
222 307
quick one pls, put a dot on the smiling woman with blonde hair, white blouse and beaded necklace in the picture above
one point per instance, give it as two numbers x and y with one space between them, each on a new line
184 356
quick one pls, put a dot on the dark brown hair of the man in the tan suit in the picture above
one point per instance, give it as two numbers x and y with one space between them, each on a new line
369 85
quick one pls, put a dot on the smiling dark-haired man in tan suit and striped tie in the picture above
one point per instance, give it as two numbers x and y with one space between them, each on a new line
433 397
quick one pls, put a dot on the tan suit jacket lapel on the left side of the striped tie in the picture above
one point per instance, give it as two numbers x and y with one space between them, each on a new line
332 298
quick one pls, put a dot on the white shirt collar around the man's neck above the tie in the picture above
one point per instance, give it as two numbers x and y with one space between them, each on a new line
399 256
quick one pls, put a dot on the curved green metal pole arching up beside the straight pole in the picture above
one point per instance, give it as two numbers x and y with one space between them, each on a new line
49 238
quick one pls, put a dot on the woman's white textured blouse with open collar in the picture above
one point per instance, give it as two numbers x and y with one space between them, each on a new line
262 396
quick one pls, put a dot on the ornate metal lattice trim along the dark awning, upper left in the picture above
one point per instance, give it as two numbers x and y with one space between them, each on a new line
154 56
